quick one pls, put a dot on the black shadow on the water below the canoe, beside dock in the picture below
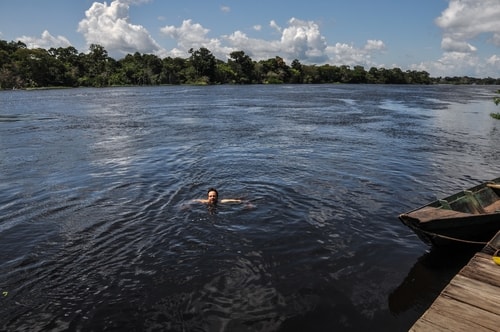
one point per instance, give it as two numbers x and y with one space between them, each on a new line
428 277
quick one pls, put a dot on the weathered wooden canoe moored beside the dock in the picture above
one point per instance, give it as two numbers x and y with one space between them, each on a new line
471 216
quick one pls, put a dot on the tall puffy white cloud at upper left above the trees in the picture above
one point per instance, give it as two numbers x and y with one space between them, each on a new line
109 26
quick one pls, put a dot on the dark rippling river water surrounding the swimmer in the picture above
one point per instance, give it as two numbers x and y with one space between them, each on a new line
97 231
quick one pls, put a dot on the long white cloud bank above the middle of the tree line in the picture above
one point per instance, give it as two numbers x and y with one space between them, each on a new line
300 40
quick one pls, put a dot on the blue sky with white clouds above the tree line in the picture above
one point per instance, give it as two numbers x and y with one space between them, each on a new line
442 37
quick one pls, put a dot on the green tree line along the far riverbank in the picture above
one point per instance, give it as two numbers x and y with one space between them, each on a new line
22 67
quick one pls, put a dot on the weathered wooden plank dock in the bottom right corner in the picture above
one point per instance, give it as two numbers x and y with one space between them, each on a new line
471 301
